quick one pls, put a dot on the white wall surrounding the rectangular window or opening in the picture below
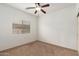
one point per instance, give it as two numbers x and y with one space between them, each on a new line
9 15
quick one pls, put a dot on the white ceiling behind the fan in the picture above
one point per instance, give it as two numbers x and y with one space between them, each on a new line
53 7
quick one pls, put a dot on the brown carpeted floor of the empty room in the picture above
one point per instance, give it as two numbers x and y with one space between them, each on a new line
38 48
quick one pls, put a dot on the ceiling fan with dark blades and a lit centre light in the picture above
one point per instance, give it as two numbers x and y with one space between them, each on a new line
38 7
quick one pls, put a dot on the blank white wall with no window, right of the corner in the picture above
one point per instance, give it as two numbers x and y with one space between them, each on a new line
59 28
